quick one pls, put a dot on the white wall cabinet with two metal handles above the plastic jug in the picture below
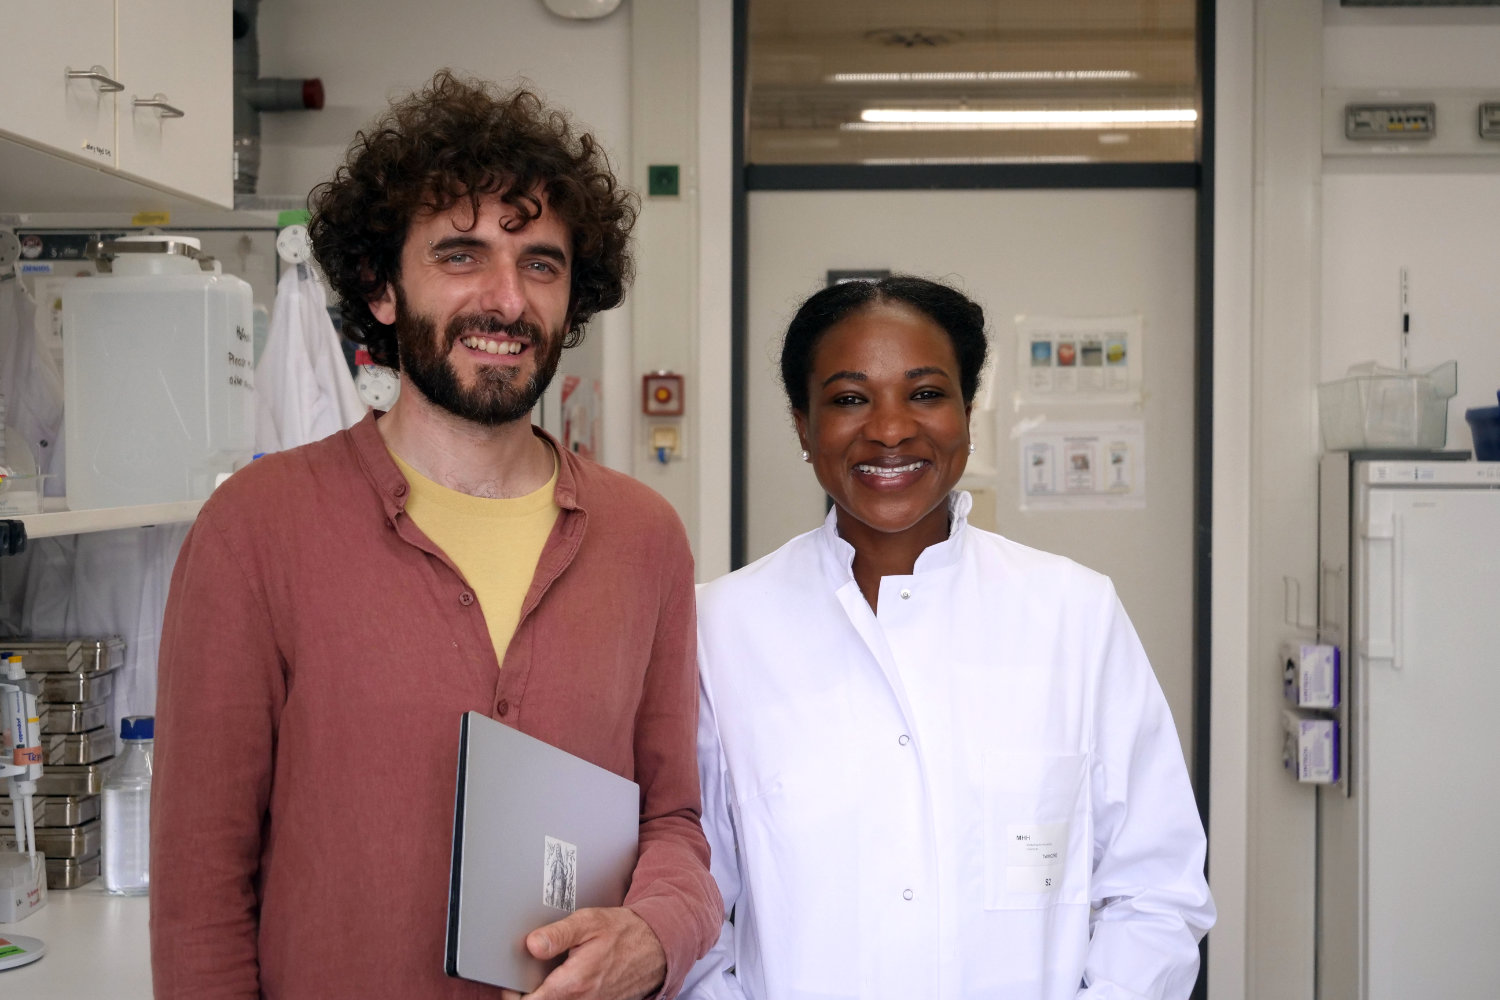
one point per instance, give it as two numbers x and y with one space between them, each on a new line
139 89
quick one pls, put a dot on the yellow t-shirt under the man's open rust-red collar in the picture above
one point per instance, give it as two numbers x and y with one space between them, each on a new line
496 543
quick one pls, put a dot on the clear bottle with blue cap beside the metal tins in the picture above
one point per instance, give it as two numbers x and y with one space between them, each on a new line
128 810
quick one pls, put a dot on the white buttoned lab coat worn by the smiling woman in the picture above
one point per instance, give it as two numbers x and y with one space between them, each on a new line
977 792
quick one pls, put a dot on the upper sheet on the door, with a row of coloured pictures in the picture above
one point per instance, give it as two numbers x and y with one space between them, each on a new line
1079 359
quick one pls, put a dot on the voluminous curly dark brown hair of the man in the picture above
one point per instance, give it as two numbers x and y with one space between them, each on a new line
454 140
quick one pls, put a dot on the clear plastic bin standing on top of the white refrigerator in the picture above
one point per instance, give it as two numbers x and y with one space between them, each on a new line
1387 409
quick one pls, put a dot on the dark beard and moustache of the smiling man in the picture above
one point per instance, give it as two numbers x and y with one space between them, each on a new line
496 398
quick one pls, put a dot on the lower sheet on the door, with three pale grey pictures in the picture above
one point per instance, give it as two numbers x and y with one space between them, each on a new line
1084 466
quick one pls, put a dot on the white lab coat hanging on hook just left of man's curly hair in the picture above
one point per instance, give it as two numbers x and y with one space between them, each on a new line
304 389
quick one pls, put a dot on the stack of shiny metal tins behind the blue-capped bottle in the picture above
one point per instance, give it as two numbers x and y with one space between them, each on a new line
77 681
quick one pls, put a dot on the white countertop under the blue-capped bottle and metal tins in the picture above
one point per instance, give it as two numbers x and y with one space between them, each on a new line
97 947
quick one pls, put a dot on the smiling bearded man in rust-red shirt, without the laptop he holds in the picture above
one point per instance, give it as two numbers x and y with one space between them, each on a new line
338 608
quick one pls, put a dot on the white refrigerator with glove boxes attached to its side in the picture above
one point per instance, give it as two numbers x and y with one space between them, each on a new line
1409 842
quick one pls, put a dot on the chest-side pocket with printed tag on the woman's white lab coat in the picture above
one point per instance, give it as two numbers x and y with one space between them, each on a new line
1036 831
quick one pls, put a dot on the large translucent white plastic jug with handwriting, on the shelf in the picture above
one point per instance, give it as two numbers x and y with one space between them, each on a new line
158 376
